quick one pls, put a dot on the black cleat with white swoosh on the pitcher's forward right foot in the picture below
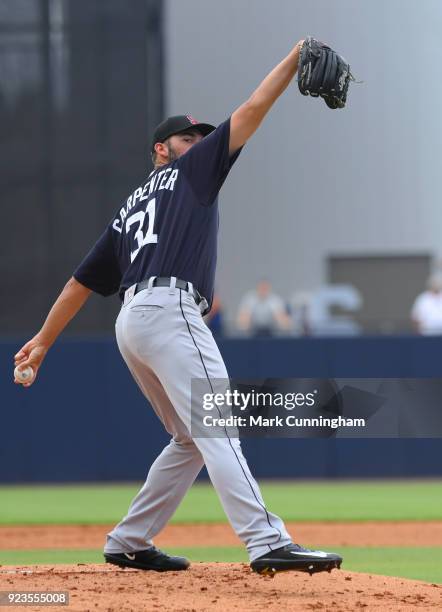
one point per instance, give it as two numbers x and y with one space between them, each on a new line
297 558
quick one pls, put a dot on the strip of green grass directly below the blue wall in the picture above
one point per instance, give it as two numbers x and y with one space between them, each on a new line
294 501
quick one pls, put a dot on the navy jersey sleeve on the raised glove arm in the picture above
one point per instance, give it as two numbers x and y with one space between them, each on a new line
207 164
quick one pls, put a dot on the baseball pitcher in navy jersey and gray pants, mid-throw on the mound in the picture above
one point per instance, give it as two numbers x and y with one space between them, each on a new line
159 254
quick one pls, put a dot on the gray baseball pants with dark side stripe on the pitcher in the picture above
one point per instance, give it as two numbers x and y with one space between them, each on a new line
165 344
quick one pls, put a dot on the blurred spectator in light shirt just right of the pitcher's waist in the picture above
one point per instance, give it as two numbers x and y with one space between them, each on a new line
262 312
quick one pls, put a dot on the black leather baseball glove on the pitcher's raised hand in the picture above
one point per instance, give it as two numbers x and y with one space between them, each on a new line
322 72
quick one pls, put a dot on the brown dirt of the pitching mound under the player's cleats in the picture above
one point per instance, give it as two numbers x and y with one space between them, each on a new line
219 586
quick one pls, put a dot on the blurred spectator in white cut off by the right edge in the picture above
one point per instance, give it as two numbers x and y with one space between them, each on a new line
427 308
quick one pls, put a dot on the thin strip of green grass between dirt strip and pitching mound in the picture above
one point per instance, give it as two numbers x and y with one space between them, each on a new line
414 563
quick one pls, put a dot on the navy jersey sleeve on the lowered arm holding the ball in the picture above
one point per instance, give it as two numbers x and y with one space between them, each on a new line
99 270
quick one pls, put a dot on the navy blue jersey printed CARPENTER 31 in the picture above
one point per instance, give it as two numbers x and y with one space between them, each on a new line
168 226
